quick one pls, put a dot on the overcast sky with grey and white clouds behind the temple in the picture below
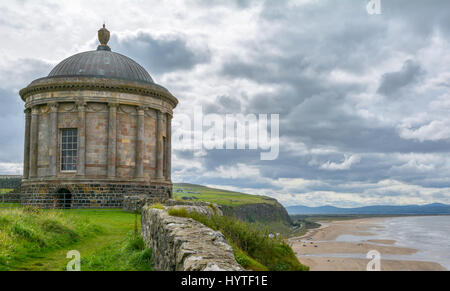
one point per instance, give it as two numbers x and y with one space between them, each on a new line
363 99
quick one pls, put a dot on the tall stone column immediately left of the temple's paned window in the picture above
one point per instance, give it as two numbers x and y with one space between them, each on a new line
53 140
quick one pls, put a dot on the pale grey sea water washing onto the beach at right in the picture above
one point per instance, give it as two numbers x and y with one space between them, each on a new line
430 235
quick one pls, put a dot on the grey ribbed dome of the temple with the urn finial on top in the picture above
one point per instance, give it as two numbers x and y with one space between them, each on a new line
102 63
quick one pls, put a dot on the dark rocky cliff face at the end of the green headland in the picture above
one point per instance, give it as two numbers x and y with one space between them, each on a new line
263 212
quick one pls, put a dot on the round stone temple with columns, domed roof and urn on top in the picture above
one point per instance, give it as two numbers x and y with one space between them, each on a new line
97 128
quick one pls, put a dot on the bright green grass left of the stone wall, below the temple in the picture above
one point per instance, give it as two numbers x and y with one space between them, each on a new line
94 233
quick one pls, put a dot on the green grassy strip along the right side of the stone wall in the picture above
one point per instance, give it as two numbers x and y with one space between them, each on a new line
253 248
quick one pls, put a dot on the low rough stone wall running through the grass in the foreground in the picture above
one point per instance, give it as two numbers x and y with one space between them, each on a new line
181 244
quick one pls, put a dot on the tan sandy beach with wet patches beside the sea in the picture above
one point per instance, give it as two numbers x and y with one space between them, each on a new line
321 252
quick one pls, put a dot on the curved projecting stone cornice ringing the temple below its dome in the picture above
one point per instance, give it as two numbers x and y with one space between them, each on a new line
97 84
